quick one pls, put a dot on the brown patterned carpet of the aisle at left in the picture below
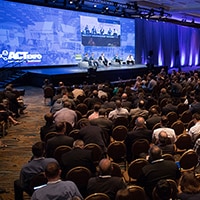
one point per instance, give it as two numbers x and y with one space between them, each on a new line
20 139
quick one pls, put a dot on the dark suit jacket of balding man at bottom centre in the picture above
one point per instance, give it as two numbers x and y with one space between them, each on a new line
105 184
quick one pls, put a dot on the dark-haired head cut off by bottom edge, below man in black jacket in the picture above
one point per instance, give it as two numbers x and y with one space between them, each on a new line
163 190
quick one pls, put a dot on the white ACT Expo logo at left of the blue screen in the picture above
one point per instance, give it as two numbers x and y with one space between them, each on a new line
20 56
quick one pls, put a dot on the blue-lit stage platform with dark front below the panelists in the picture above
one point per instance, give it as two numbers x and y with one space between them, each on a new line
75 75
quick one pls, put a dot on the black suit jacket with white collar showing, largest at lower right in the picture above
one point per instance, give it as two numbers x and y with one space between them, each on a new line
155 171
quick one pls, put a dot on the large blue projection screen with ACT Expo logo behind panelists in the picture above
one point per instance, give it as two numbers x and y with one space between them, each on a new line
35 36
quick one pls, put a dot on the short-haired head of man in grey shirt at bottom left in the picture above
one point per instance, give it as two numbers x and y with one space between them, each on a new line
52 171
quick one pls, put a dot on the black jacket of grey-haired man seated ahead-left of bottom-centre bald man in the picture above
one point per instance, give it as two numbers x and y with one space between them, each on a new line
77 157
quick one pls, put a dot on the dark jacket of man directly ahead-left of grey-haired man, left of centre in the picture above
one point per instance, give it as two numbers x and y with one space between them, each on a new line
57 141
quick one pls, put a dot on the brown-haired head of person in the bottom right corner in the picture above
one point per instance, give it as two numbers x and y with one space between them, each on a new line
189 183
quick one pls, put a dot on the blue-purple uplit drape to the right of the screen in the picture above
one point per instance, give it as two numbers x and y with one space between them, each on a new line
166 44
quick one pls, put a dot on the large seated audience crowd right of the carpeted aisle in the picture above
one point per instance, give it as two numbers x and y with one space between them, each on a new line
94 111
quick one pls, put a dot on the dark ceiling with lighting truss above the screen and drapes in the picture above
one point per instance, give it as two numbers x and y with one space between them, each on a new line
183 12
